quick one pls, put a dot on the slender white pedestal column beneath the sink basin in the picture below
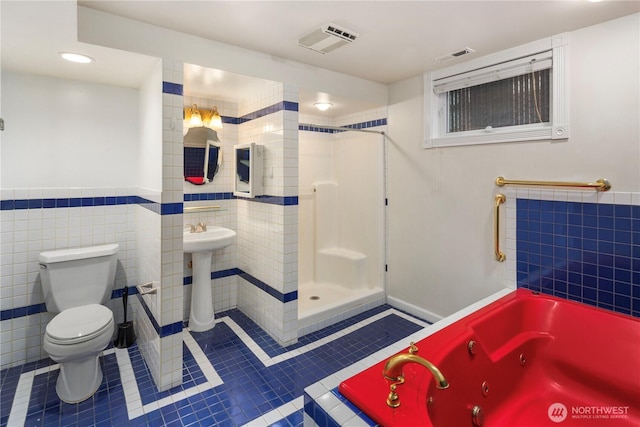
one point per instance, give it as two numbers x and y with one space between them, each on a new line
201 317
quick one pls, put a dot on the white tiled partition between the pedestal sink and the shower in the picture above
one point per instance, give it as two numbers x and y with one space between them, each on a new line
267 233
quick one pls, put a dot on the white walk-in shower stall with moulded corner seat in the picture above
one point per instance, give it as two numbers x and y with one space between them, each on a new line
341 235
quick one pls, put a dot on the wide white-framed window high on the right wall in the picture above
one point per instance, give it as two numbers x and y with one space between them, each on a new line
515 95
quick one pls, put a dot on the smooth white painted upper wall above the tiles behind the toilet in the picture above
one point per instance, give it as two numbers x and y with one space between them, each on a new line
63 133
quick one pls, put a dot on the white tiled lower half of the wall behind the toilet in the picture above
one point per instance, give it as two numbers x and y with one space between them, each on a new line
26 233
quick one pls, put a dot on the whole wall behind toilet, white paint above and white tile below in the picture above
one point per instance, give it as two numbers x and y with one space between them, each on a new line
63 140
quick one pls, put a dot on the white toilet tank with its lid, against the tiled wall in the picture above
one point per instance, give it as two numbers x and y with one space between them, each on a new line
80 276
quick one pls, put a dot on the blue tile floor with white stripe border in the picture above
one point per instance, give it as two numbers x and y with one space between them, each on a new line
233 375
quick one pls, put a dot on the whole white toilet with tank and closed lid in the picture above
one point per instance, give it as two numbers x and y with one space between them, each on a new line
75 282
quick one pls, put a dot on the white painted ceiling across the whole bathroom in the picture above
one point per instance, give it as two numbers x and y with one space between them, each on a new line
397 39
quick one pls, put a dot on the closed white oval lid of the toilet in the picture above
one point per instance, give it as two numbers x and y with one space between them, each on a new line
79 323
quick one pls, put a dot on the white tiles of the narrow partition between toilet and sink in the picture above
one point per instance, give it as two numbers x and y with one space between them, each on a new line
160 256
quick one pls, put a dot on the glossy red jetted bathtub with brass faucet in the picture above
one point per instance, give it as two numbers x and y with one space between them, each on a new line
534 361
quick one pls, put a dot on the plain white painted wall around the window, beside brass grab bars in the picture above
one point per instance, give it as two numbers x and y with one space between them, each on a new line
441 200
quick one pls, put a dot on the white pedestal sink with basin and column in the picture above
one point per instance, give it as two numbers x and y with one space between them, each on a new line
201 246
